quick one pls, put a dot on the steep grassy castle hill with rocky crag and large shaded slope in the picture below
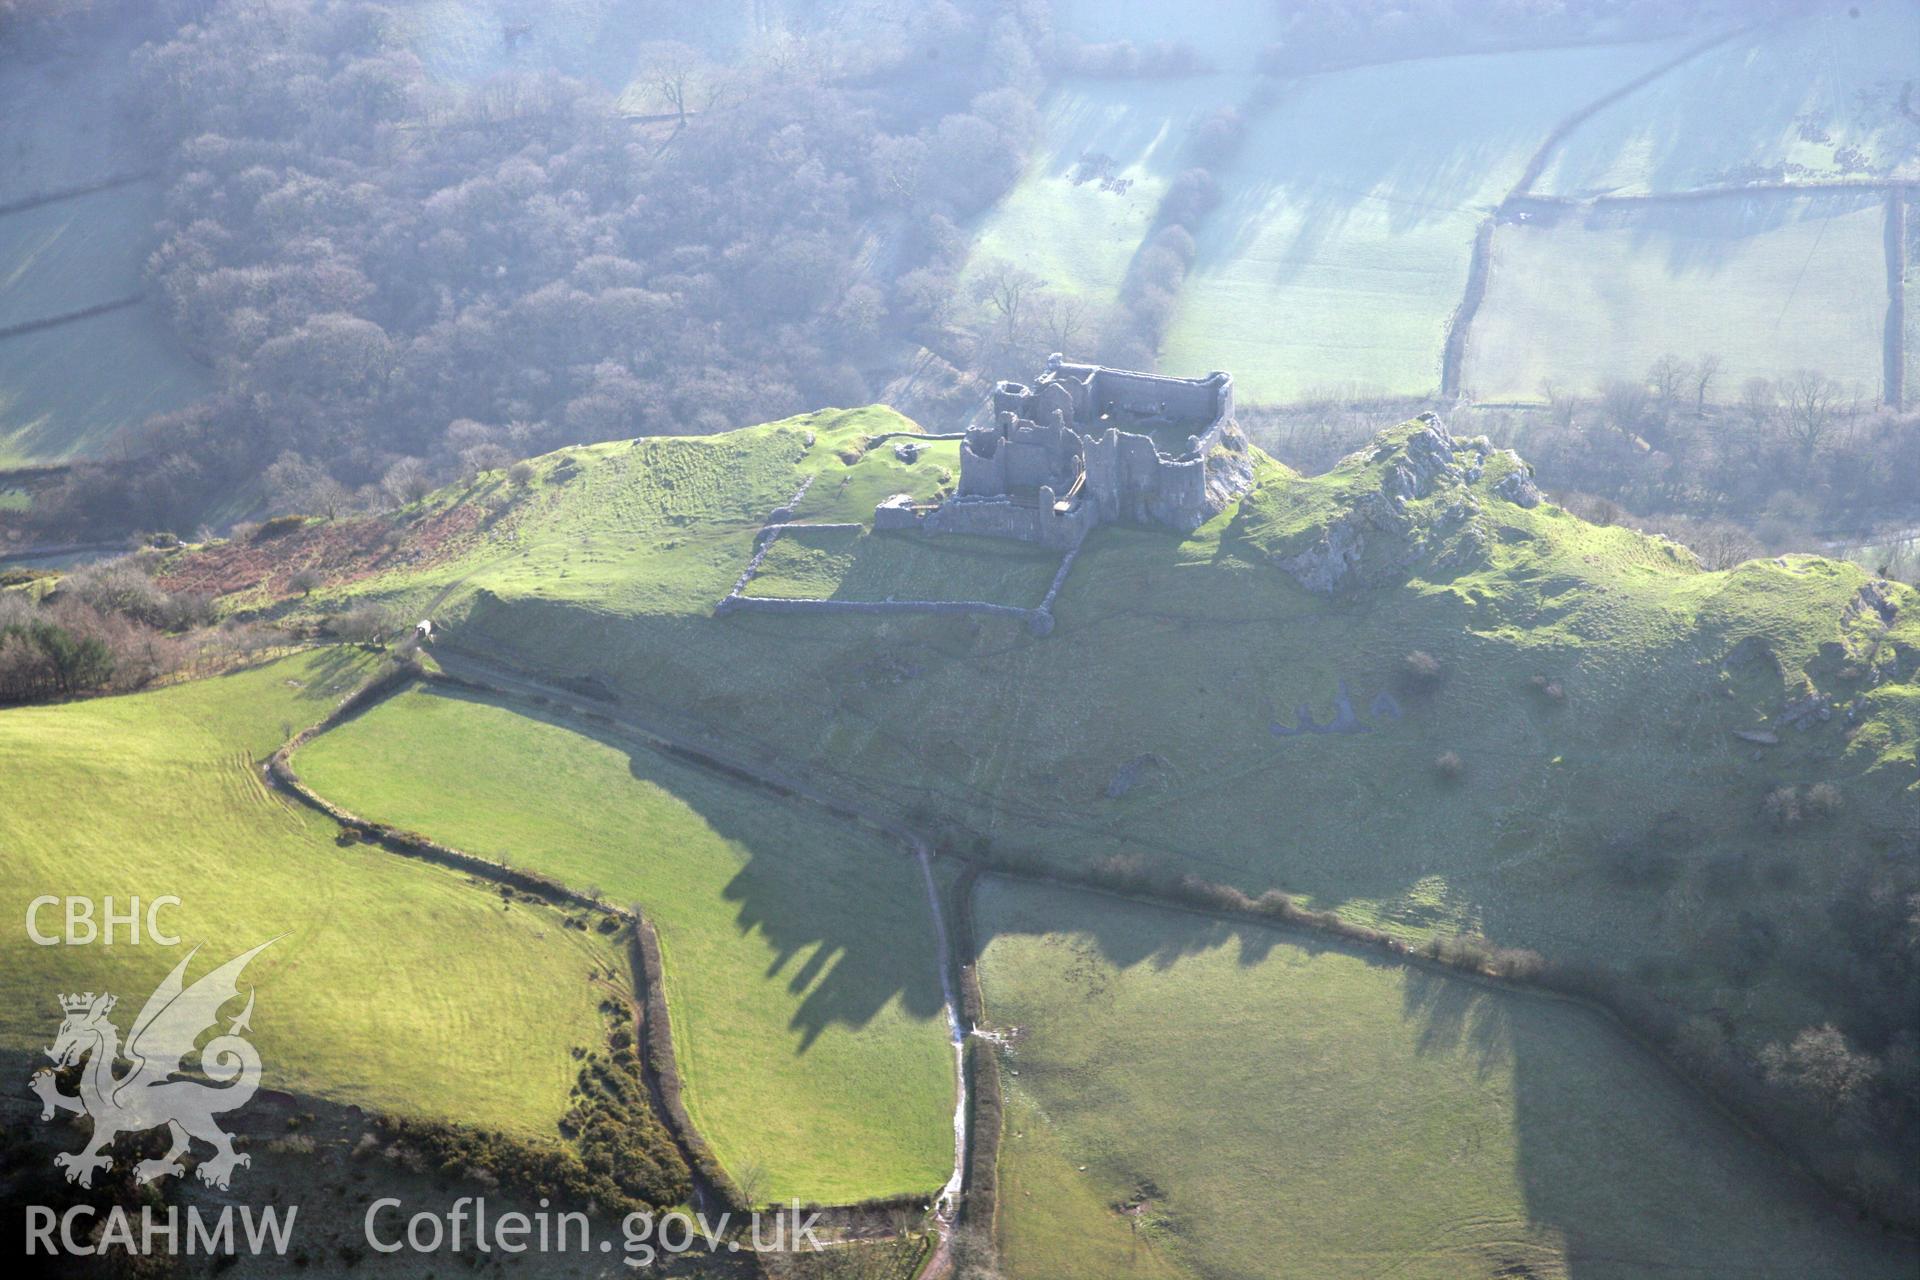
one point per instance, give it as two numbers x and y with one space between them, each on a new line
1593 684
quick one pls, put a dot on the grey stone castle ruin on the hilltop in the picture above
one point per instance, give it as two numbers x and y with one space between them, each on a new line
1092 446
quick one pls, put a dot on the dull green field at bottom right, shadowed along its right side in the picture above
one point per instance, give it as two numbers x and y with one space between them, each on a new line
1278 1106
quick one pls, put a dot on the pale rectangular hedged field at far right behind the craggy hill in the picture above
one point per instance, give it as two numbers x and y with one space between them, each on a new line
1769 285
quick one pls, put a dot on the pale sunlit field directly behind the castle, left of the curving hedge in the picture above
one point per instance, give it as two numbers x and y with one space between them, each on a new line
1349 216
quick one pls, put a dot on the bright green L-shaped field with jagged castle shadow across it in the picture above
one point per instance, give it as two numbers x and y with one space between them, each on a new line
800 955
